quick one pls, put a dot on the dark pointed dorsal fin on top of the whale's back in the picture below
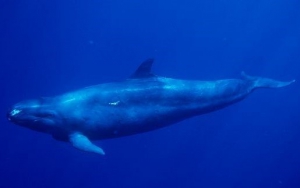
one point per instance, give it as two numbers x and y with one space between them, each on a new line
144 70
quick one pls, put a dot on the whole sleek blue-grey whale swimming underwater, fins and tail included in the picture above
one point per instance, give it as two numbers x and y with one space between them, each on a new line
143 102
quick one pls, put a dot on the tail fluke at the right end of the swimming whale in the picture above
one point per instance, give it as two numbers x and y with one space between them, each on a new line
259 82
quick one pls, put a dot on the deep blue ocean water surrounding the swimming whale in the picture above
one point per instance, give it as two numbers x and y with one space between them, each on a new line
50 47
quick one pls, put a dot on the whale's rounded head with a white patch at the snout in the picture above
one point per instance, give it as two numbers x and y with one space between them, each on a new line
34 114
